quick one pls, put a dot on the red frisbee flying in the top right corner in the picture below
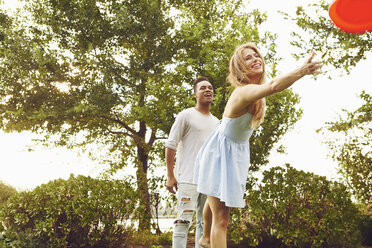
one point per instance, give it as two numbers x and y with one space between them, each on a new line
352 16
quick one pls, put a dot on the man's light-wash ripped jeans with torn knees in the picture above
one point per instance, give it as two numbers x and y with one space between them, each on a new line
188 202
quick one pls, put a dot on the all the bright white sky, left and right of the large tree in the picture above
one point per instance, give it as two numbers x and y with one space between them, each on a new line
321 101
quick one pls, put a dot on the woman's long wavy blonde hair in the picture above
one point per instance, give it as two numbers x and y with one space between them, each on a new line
239 76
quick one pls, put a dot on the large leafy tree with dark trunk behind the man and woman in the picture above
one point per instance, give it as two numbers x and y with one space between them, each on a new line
113 73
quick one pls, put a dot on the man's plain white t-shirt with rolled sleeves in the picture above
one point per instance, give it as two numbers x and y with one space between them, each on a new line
187 135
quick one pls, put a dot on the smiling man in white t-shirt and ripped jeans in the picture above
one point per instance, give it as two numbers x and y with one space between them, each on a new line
188 133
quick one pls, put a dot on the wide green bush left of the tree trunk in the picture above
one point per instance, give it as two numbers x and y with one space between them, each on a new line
78 212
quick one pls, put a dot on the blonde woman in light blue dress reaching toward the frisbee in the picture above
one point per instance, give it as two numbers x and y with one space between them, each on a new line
222 164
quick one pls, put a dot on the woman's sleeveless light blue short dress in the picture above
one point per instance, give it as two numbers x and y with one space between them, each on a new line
222 164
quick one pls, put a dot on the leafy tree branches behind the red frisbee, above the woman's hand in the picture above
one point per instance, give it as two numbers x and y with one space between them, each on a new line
337 48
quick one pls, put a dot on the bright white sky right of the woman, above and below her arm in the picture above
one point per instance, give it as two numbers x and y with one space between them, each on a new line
321 100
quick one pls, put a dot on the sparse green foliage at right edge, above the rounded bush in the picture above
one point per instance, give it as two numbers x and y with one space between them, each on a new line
352 149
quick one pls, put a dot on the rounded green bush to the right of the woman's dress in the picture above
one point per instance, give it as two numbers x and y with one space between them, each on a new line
292 208
